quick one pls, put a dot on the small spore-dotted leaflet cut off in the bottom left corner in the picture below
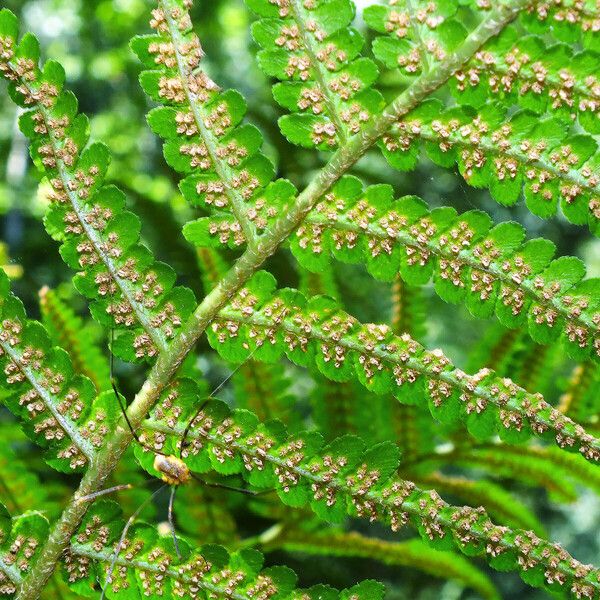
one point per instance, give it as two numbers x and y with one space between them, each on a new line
21 539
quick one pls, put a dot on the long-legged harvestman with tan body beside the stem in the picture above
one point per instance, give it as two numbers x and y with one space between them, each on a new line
173 470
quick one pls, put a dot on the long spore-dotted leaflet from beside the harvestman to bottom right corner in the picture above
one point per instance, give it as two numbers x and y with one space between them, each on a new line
345 478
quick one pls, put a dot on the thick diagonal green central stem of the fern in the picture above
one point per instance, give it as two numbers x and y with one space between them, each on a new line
168 362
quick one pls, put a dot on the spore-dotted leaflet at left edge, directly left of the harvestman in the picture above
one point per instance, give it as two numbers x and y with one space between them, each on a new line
59 409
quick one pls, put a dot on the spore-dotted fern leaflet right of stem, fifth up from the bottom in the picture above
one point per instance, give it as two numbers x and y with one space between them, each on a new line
542 159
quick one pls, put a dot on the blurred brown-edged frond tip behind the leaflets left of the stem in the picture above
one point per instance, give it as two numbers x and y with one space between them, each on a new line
66 329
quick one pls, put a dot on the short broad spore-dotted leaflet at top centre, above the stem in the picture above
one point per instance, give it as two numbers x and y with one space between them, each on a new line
311 49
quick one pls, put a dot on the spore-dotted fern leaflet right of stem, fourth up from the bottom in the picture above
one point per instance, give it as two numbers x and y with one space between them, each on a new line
490 269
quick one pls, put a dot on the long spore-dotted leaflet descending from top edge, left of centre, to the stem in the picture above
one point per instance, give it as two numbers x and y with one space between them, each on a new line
204 138
